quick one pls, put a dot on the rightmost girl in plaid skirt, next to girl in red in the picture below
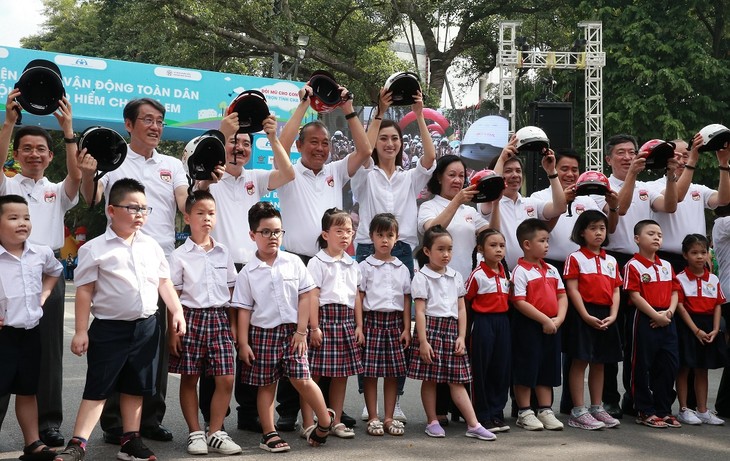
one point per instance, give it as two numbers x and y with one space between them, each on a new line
438 352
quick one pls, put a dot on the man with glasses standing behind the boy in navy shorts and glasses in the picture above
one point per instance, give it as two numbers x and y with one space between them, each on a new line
166 188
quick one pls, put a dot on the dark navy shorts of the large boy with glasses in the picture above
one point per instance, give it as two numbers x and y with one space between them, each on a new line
123 357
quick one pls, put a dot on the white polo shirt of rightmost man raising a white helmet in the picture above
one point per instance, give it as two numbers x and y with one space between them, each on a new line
688 219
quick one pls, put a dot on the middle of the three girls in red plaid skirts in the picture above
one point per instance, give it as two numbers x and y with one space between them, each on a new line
385 294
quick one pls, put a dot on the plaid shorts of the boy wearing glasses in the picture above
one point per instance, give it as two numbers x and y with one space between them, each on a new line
273 356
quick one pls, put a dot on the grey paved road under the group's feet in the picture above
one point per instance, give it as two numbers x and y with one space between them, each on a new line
630 441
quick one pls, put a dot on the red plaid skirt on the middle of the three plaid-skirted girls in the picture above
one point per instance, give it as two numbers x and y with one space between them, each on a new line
383 355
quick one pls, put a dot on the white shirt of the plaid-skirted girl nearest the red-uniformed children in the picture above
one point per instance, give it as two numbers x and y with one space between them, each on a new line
440 291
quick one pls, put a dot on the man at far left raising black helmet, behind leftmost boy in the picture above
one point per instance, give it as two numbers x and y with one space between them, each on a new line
47 203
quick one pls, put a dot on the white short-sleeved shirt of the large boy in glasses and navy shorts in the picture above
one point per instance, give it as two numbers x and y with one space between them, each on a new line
127 277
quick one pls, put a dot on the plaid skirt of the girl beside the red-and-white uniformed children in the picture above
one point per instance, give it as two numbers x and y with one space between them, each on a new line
447 367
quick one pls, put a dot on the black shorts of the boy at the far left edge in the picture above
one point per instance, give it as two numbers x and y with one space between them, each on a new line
20 354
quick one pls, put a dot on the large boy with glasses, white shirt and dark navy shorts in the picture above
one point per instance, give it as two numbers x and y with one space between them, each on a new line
118 279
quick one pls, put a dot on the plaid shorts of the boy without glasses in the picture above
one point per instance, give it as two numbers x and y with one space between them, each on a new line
208 338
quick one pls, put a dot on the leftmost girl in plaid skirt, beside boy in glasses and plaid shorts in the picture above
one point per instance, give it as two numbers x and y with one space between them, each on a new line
336 327
